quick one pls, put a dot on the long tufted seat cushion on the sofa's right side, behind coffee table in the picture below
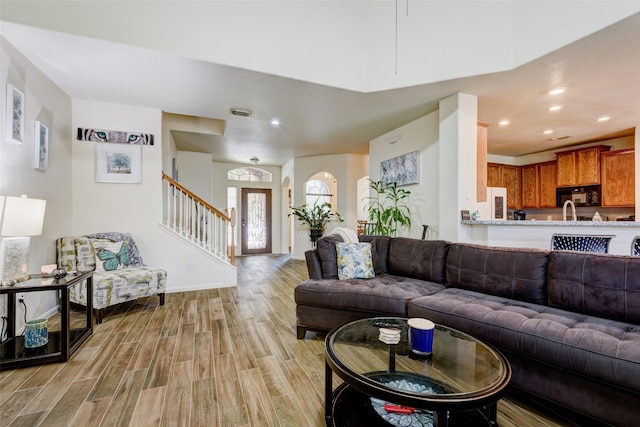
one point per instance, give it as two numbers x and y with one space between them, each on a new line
592 346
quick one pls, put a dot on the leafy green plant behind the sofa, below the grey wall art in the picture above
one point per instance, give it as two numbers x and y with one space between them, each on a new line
388 208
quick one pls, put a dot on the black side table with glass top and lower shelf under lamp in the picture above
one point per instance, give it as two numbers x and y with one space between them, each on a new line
63 343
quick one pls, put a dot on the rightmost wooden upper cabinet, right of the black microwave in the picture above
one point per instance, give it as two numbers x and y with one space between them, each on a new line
618 178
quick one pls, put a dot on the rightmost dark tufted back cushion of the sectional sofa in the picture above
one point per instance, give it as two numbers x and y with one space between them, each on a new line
595 284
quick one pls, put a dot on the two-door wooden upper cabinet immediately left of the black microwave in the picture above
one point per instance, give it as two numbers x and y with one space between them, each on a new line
539 185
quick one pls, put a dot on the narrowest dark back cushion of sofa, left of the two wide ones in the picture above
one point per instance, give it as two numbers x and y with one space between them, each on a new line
419 259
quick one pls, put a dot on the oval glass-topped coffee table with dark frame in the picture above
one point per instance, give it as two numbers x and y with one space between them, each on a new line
459 384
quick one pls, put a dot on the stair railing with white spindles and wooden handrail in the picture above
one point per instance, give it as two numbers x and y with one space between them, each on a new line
200 224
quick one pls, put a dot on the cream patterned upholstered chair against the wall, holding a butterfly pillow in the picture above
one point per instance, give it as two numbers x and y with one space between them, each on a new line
109 287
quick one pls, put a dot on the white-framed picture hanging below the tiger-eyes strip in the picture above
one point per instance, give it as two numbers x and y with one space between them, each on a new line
119 163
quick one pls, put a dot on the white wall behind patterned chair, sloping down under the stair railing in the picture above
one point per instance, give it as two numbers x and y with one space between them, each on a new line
135 208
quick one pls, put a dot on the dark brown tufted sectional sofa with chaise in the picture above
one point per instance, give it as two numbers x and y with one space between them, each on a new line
569 322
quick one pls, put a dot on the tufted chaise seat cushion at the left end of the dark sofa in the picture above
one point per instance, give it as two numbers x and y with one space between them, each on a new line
385 294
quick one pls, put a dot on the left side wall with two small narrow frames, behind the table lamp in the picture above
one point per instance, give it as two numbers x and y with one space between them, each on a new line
47 103
